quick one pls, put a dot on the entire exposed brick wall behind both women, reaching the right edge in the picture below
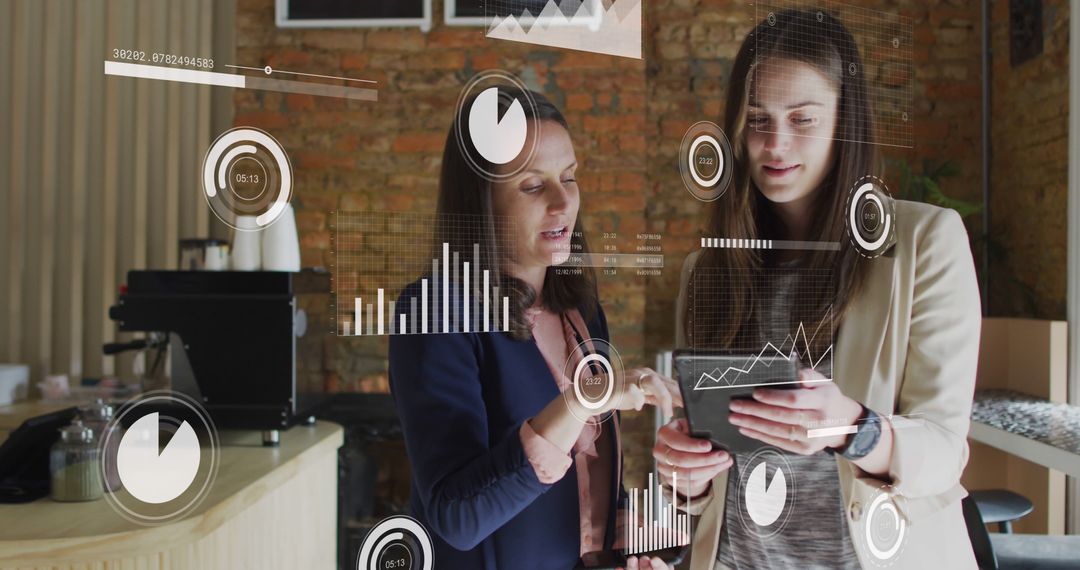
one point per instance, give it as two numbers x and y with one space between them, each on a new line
627 119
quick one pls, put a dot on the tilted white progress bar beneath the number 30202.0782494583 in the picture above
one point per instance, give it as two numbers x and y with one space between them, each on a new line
241 82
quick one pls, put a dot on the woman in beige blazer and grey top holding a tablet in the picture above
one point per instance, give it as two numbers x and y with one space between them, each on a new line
908 318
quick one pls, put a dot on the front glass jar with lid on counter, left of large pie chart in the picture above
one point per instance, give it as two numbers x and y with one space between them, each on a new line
74 465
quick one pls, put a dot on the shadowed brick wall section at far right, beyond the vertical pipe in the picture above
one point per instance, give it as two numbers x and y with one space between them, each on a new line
1030 171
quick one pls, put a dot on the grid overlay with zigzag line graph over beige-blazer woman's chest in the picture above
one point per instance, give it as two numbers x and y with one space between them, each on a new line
789 319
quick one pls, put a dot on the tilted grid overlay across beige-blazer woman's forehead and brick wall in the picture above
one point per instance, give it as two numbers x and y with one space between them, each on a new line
885 42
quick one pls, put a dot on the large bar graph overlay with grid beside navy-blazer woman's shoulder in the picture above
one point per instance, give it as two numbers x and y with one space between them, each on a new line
407 274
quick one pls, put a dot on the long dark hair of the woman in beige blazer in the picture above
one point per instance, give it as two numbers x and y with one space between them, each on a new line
821 42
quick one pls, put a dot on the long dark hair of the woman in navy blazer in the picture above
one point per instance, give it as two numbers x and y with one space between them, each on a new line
464 192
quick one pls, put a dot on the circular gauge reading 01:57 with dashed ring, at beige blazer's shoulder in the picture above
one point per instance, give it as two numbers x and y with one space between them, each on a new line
871 218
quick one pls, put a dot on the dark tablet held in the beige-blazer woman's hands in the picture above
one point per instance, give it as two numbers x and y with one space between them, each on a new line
710 381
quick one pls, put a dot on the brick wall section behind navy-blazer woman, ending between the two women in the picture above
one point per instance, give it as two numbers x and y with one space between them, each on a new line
386 156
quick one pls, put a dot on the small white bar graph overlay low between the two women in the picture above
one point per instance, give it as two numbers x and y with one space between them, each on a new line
653 523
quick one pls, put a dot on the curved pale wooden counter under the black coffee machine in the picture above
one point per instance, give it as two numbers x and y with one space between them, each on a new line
269 508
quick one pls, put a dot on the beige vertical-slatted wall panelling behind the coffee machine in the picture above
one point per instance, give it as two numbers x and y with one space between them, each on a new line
99 175
